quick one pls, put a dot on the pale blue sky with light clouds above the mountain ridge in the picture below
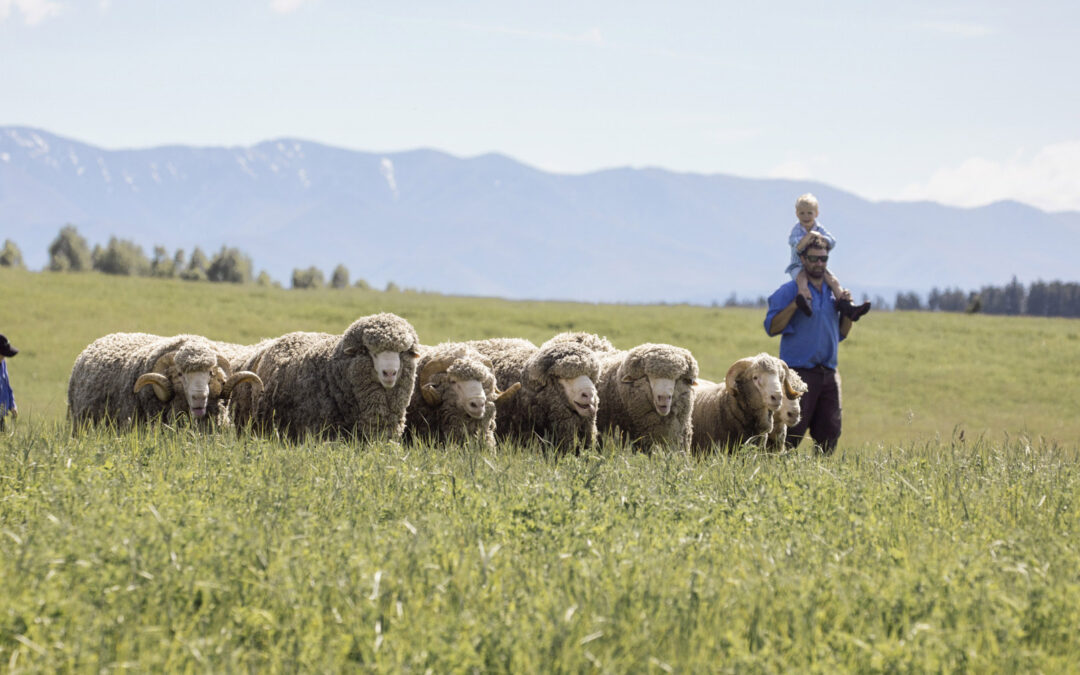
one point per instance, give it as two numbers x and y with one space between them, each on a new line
960 103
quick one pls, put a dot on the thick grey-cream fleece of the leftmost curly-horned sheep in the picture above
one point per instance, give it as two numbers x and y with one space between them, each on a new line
103 380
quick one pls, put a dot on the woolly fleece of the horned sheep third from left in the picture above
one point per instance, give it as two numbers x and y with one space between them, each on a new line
449 423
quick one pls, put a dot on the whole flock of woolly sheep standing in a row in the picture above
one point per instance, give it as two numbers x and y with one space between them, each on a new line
376 381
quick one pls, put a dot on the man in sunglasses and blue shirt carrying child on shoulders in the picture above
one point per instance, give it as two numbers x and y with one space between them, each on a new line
809 345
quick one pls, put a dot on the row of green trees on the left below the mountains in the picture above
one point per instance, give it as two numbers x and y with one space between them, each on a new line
71 253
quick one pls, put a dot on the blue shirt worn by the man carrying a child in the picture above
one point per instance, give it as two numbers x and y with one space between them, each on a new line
807 342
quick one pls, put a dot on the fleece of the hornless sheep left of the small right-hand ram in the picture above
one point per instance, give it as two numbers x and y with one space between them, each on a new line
628 406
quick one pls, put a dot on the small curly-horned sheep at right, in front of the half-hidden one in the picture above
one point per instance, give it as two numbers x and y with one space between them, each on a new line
741 408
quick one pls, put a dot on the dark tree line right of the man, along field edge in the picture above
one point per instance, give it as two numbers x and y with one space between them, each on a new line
1055 299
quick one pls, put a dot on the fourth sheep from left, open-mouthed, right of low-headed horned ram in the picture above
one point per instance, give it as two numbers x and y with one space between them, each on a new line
558 399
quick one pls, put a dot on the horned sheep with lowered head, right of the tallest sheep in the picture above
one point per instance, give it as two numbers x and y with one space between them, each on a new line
455 396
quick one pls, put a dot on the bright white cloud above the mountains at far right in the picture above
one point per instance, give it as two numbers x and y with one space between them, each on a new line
1049 180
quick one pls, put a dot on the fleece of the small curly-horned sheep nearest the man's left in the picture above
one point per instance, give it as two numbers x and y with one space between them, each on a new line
730 417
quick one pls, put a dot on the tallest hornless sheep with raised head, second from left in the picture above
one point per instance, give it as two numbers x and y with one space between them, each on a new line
355 385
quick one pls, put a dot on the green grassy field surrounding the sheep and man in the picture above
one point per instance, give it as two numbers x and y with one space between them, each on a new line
942 536
